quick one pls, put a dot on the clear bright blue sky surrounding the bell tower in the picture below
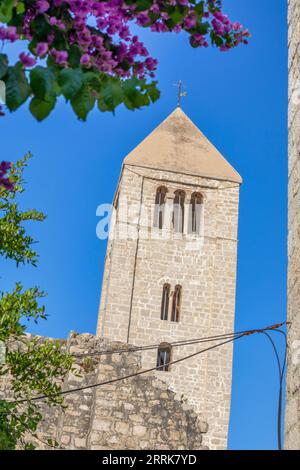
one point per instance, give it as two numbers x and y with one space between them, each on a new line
239 100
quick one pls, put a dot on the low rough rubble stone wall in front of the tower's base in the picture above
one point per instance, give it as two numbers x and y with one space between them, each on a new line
136 413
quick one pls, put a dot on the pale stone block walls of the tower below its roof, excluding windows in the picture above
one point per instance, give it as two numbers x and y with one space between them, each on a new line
136 271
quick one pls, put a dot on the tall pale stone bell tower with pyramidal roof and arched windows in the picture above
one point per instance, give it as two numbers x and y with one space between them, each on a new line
170 269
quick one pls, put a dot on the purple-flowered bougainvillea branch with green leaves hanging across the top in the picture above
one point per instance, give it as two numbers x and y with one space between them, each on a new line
85 50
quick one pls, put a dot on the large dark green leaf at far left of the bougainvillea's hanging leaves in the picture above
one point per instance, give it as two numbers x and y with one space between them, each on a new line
17 87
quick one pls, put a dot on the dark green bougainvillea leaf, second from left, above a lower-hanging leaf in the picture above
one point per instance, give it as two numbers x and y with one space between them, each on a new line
43 83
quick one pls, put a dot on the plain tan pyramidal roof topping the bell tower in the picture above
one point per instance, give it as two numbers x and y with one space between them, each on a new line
177 145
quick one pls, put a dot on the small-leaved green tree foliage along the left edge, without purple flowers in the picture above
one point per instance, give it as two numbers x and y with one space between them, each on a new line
29 366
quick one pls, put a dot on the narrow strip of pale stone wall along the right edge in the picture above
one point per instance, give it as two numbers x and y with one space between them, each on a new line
292 417
